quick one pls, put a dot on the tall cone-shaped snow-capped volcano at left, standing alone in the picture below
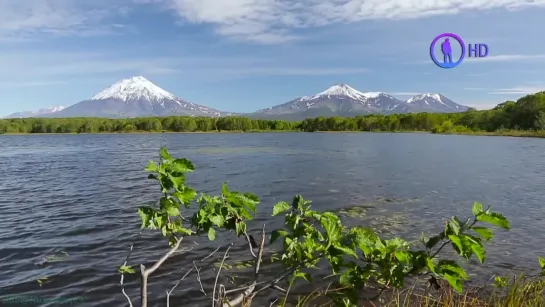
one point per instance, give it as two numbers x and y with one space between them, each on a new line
135 97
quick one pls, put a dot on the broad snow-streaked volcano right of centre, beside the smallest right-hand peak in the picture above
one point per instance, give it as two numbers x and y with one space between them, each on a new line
337 100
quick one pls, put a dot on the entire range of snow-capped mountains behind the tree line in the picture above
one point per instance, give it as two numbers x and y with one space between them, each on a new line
137 97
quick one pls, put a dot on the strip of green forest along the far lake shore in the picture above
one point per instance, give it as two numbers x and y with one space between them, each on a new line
527 113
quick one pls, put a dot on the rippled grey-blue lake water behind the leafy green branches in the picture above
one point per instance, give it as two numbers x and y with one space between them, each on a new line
68 202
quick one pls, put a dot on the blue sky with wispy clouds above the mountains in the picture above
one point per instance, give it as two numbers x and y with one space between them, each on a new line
244 55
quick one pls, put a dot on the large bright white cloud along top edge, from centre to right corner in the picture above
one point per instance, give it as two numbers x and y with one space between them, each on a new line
272 21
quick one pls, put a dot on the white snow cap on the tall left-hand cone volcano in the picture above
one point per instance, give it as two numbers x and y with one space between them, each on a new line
135 88
